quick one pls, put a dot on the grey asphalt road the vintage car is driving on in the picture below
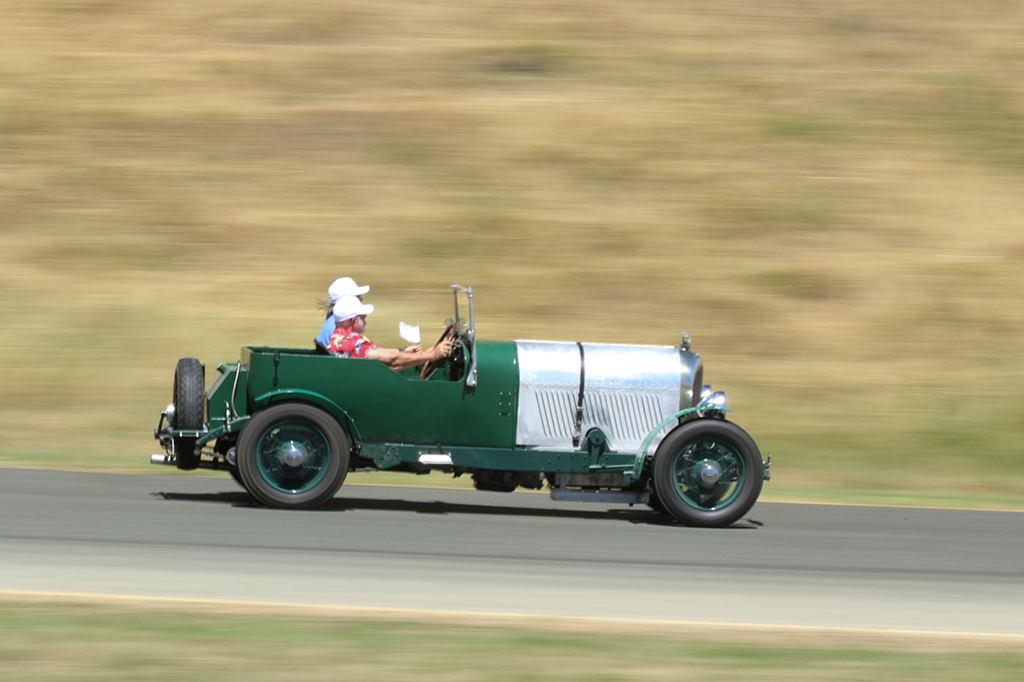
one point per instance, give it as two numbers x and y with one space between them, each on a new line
458 551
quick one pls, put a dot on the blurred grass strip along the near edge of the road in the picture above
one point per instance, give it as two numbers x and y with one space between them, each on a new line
61 642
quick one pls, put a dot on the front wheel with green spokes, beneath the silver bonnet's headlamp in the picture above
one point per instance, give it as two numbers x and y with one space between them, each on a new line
708 474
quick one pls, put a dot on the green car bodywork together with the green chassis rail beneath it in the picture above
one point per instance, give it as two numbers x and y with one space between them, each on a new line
395 417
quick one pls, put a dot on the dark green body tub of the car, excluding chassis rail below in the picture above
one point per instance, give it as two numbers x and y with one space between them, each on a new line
379 406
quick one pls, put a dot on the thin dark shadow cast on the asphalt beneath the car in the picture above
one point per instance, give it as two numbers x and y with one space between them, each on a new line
636 516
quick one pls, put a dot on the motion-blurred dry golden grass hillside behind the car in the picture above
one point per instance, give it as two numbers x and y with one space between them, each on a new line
830 197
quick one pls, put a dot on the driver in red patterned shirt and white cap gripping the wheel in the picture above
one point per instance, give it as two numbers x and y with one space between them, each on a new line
349 342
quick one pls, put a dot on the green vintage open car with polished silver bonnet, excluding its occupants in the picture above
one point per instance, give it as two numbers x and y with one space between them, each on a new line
593 422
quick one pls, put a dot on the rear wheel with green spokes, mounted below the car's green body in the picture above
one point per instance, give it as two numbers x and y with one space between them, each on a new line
293 456
